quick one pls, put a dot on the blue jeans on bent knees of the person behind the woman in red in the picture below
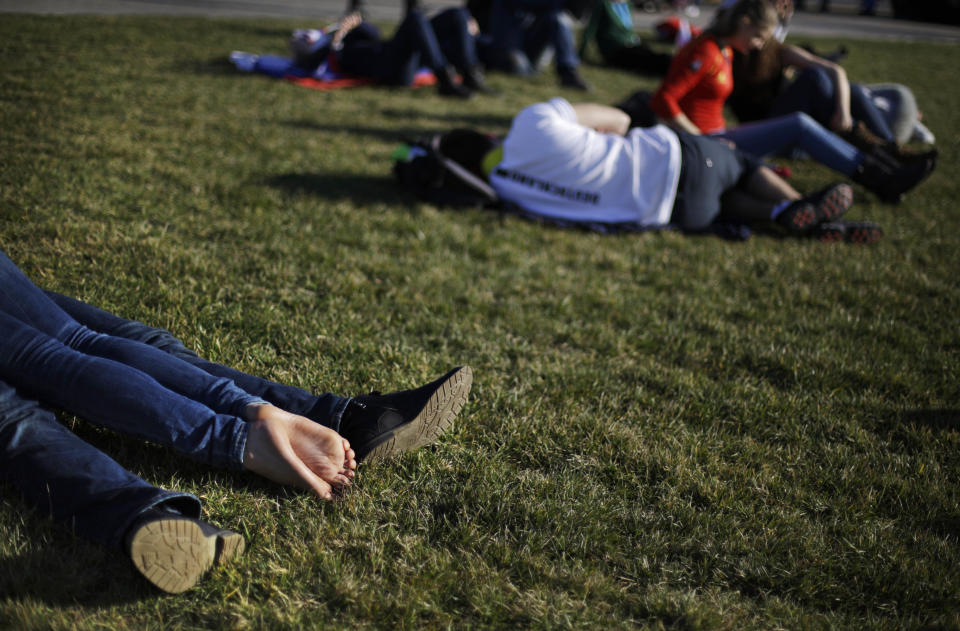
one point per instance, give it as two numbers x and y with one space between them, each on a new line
813 93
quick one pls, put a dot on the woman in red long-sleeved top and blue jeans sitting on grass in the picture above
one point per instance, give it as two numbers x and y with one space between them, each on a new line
692 96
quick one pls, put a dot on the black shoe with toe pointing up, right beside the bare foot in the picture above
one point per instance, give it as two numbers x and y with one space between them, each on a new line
380 426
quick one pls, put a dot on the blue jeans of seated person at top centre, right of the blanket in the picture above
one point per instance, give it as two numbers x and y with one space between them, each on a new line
520 35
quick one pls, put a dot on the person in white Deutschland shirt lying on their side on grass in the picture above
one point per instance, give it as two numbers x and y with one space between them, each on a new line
583 164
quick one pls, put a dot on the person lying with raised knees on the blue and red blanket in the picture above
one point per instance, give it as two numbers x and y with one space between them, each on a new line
356 48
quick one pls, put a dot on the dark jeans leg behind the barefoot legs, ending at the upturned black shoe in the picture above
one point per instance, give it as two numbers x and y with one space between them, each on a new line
325 409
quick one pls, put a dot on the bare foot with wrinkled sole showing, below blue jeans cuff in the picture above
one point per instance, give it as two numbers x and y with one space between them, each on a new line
294 450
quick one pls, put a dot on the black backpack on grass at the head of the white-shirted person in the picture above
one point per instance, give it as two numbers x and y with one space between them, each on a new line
423 170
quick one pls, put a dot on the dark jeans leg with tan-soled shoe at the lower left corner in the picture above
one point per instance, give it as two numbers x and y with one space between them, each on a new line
62 476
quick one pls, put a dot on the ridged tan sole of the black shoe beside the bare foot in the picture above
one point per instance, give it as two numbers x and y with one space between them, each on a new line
433 419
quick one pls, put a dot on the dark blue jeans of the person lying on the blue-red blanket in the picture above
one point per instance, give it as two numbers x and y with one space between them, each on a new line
413 45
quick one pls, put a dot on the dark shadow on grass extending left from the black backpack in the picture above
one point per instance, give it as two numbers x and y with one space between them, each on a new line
357 188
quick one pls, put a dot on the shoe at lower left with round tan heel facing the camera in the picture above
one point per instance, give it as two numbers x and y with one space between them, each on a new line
173 551
